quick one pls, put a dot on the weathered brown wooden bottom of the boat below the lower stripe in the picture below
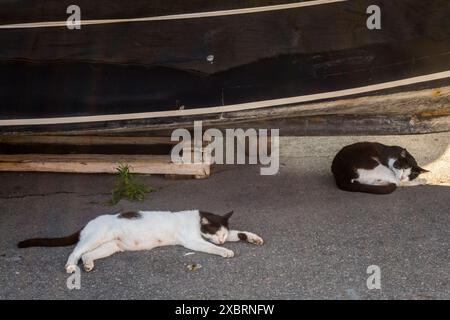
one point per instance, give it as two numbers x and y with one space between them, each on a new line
422 108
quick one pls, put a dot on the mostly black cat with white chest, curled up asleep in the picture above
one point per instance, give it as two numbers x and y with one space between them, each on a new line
373 167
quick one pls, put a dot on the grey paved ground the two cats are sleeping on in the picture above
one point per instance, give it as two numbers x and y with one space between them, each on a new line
319 240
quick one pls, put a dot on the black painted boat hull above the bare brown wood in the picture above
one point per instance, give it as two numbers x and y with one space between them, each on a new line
201 67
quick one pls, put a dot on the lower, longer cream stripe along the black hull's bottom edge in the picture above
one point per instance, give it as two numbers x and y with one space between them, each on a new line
229 108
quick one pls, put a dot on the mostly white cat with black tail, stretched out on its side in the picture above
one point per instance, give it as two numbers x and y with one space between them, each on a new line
145 230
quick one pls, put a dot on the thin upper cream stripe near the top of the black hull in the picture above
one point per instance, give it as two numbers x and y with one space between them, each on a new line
175 16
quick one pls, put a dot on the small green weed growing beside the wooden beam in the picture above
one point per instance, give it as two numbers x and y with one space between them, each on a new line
127 188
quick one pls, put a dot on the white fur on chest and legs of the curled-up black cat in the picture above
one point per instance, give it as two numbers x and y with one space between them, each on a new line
382 175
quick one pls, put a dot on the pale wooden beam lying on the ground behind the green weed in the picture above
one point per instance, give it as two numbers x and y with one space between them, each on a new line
99 163
